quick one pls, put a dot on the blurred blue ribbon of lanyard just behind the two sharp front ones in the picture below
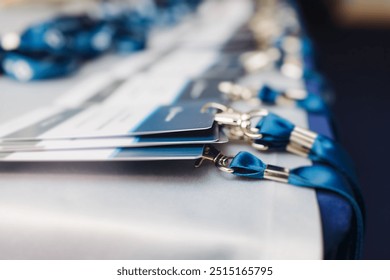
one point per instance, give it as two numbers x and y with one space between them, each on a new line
312 103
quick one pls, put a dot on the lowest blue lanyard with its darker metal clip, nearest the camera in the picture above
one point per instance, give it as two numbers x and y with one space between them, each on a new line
318 176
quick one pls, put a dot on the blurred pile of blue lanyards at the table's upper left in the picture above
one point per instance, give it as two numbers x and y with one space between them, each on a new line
59 46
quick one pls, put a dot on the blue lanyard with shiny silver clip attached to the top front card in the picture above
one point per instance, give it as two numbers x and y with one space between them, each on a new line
273 132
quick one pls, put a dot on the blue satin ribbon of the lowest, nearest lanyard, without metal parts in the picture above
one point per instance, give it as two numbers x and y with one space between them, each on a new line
317 176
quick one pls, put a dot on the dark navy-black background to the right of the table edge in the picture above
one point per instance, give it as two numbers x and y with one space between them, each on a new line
357 63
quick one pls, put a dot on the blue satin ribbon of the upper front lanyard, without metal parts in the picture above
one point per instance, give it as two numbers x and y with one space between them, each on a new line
276 132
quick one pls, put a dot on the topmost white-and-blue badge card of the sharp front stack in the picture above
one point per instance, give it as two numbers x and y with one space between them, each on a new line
109 121
